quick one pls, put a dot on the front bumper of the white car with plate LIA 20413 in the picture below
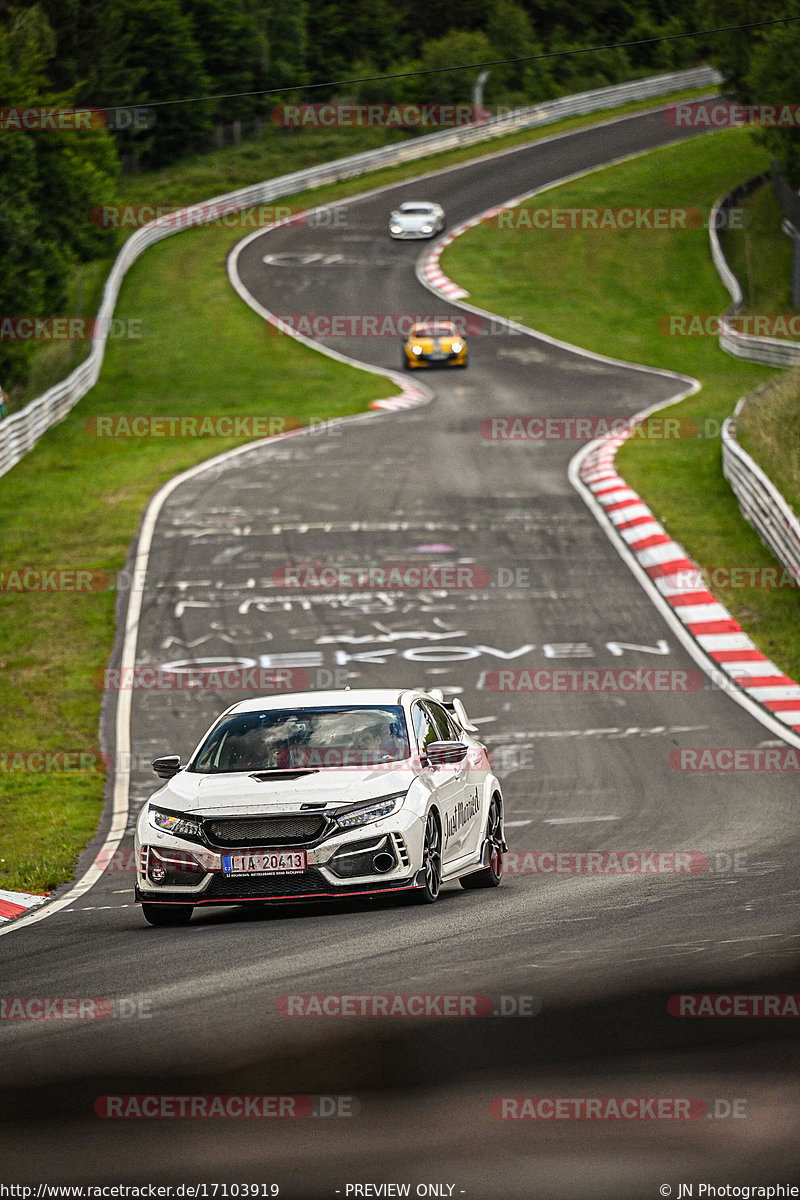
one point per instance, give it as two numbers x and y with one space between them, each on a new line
384 856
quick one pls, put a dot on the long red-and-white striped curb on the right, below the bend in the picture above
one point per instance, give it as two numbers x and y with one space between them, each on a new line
675 575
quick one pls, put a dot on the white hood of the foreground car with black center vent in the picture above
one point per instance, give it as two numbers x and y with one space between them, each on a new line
242 793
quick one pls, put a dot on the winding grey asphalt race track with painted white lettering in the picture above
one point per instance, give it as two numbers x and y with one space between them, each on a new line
581 772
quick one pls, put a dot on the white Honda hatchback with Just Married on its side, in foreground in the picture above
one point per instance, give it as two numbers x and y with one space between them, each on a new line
322 795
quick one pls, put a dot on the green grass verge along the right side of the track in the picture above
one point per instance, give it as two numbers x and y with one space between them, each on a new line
606 291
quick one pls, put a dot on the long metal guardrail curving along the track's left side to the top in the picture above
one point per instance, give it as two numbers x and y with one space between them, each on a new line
21 431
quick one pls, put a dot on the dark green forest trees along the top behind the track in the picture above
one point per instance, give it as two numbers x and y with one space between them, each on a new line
115 53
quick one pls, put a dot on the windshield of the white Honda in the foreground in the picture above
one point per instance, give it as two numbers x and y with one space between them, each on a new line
282 740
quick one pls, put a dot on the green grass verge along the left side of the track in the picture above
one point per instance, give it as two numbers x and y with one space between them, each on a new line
76 501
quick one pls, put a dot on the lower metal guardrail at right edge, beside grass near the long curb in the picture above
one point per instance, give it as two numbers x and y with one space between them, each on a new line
762 505
